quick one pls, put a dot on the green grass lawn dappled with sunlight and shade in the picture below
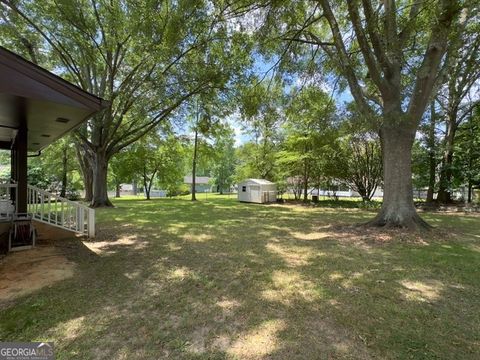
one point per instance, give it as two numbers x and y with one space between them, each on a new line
218 279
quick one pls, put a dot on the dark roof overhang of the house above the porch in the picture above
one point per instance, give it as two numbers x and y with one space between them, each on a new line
51 105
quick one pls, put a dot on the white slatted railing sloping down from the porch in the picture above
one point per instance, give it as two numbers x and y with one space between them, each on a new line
63 213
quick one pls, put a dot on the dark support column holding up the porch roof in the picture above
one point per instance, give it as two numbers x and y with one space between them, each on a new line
21 165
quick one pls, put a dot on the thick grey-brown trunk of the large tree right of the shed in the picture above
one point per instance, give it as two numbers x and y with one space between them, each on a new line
398 209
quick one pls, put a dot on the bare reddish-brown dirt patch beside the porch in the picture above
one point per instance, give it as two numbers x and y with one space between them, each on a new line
26 271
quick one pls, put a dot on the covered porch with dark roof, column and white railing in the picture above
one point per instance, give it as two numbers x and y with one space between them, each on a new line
36 108
